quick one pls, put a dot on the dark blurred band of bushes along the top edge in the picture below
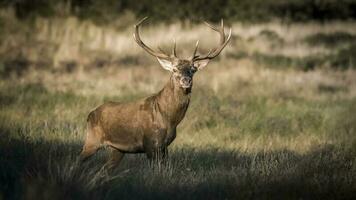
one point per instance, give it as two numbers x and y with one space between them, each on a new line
106 11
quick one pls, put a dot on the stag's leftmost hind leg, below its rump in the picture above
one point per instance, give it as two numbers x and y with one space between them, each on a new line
92 142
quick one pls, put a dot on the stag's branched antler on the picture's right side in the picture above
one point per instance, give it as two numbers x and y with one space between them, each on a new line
223 42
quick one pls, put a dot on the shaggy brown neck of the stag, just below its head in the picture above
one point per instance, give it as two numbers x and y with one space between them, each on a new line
173 102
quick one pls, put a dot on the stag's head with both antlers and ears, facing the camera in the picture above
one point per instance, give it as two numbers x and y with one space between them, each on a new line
184 69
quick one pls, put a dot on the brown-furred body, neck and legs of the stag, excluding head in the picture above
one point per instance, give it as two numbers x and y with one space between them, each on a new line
145 126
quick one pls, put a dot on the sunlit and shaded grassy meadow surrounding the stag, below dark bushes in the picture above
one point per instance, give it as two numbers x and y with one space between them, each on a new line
272 118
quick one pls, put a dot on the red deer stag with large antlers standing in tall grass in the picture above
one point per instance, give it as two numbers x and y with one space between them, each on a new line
148 125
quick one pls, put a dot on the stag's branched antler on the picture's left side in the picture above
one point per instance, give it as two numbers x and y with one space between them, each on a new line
148 49
